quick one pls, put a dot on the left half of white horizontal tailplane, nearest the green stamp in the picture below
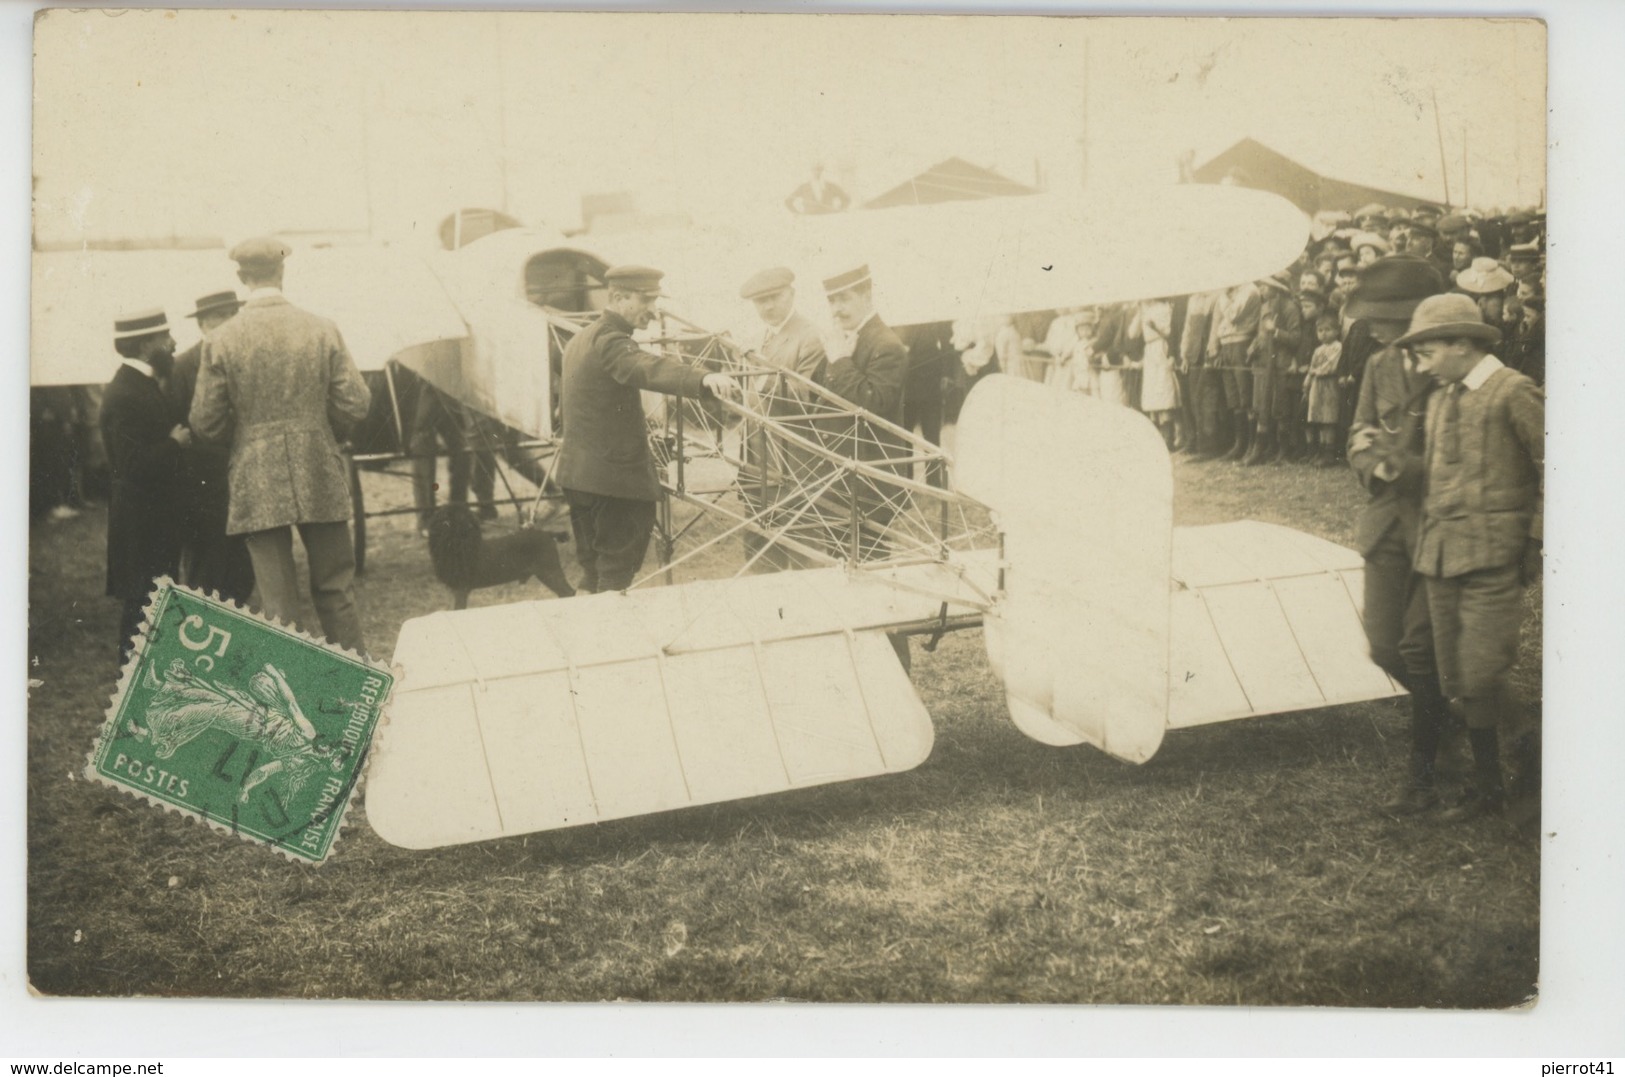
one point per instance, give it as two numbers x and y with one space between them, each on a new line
553 714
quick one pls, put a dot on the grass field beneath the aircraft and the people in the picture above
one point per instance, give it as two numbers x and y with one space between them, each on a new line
1244 865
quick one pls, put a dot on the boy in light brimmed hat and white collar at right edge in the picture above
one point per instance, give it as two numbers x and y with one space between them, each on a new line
1480 542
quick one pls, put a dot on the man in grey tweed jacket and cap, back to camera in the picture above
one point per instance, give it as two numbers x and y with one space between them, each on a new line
280 386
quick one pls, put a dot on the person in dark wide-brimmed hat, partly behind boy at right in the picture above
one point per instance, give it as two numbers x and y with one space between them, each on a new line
1385 451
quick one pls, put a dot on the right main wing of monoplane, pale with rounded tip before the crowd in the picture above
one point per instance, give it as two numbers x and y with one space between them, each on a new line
997 256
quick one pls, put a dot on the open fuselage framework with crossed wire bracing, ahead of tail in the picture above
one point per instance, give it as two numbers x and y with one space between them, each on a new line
818 480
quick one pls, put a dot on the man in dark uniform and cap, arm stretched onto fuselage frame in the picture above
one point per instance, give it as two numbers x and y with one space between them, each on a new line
605 467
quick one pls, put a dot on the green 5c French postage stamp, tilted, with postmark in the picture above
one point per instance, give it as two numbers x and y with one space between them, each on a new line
248 725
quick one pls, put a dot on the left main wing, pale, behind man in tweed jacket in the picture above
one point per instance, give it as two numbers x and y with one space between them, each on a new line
383 300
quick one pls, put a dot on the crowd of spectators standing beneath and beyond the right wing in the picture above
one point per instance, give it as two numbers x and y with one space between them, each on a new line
1268 371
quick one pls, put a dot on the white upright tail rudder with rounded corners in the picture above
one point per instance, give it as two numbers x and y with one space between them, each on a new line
1085 500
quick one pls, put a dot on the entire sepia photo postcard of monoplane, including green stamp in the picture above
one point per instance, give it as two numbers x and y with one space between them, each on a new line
574 508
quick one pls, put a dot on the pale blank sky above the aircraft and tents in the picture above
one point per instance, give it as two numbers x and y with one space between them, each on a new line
235 123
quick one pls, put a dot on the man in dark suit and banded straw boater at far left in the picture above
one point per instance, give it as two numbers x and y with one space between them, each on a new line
145 436
